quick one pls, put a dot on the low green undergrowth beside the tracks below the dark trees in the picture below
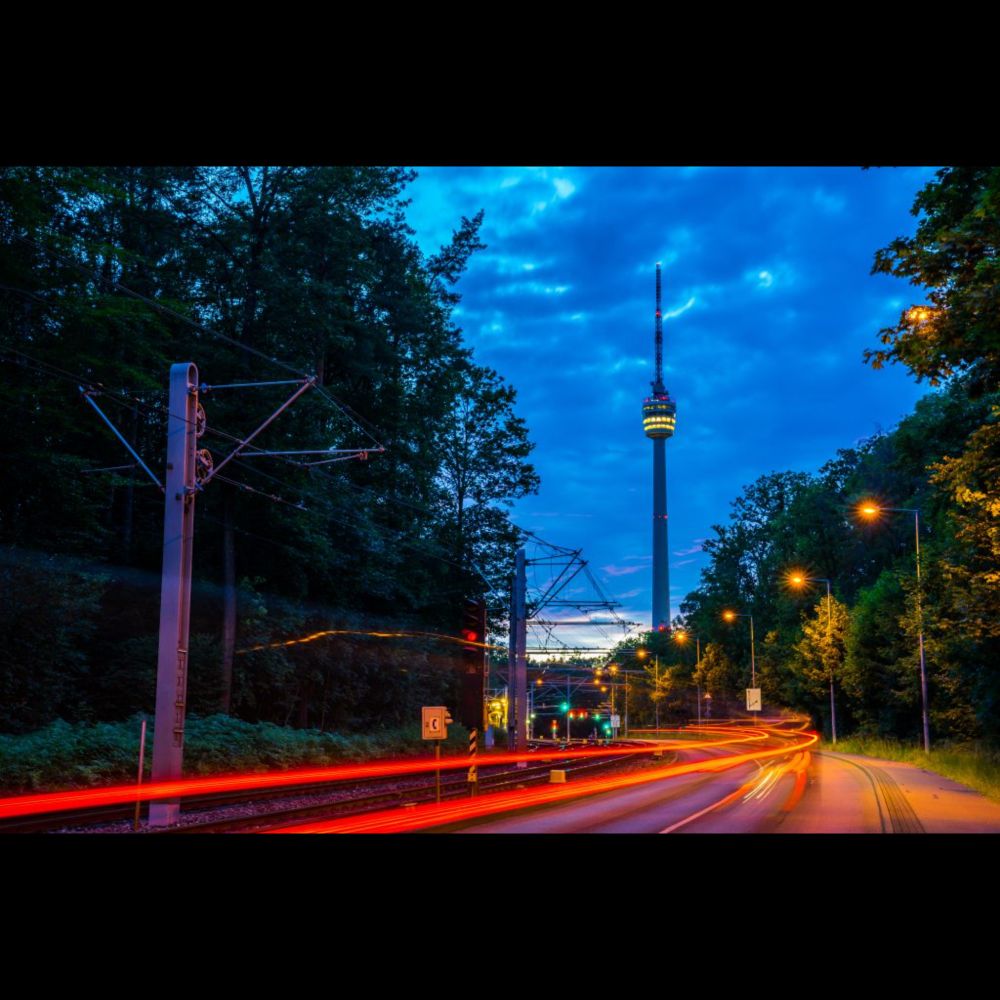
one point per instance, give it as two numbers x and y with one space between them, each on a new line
83 755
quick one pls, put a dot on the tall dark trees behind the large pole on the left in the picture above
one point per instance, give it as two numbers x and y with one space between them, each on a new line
256 274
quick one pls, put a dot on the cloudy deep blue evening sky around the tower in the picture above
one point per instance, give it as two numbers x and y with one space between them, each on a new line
768 305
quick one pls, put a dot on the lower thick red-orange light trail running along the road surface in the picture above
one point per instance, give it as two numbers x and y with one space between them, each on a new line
422 817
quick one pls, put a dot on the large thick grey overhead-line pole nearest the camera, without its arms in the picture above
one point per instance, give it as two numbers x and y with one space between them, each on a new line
175 588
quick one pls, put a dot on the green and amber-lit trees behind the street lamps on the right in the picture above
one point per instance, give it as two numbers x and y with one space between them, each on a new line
943 460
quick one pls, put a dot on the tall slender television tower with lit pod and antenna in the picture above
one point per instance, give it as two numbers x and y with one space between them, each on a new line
659 416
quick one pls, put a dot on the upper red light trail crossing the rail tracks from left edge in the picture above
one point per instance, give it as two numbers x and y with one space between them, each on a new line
92 798
